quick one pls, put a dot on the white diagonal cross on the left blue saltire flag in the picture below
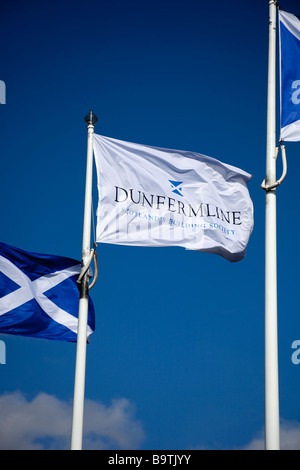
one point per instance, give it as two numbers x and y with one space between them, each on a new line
35 290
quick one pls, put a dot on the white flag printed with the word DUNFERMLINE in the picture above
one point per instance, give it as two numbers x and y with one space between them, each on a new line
151 196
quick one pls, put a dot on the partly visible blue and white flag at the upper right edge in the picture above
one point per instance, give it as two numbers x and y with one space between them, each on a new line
290 76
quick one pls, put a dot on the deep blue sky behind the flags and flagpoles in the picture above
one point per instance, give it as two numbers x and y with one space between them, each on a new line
177 358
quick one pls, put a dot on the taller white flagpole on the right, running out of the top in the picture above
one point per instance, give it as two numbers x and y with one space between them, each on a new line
272 441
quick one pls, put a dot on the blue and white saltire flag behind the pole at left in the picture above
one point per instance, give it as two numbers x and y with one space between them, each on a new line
39 296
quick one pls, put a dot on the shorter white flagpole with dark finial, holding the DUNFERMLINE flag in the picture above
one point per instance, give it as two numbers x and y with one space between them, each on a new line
79 386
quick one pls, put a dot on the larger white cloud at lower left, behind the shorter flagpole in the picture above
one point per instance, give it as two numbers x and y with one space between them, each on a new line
45 422
